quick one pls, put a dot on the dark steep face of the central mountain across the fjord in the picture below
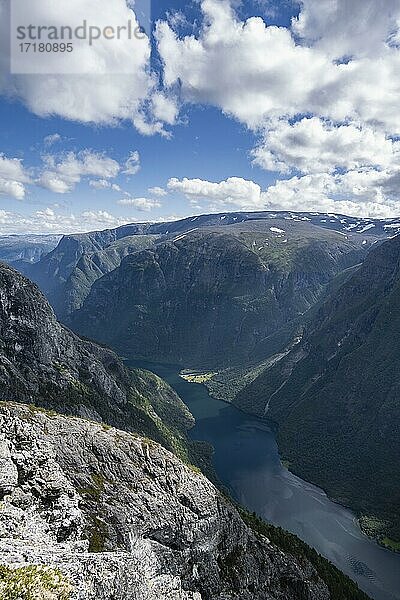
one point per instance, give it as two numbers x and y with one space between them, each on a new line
212 298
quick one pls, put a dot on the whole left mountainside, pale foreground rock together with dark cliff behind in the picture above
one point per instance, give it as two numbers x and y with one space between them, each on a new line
89 511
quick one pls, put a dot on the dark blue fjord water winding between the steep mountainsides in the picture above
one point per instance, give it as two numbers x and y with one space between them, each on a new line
247 461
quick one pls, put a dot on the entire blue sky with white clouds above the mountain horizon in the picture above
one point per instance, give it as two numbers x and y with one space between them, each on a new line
241 106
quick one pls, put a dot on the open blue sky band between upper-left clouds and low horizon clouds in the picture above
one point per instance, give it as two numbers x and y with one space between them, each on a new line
208 146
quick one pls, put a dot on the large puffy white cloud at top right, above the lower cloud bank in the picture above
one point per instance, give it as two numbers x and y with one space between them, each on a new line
257 72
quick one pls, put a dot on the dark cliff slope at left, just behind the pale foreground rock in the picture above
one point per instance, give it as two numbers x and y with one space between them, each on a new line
43 363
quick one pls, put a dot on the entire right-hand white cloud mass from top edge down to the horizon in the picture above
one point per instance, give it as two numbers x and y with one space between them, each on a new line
339 64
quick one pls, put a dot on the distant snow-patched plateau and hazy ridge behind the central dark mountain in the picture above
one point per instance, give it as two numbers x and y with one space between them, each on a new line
66 274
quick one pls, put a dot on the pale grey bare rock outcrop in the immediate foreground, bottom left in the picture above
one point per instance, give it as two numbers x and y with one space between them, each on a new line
88 511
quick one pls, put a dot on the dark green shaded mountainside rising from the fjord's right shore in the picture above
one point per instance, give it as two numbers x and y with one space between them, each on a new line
336 394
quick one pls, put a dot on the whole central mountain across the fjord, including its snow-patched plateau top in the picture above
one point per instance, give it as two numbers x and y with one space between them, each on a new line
237 283
